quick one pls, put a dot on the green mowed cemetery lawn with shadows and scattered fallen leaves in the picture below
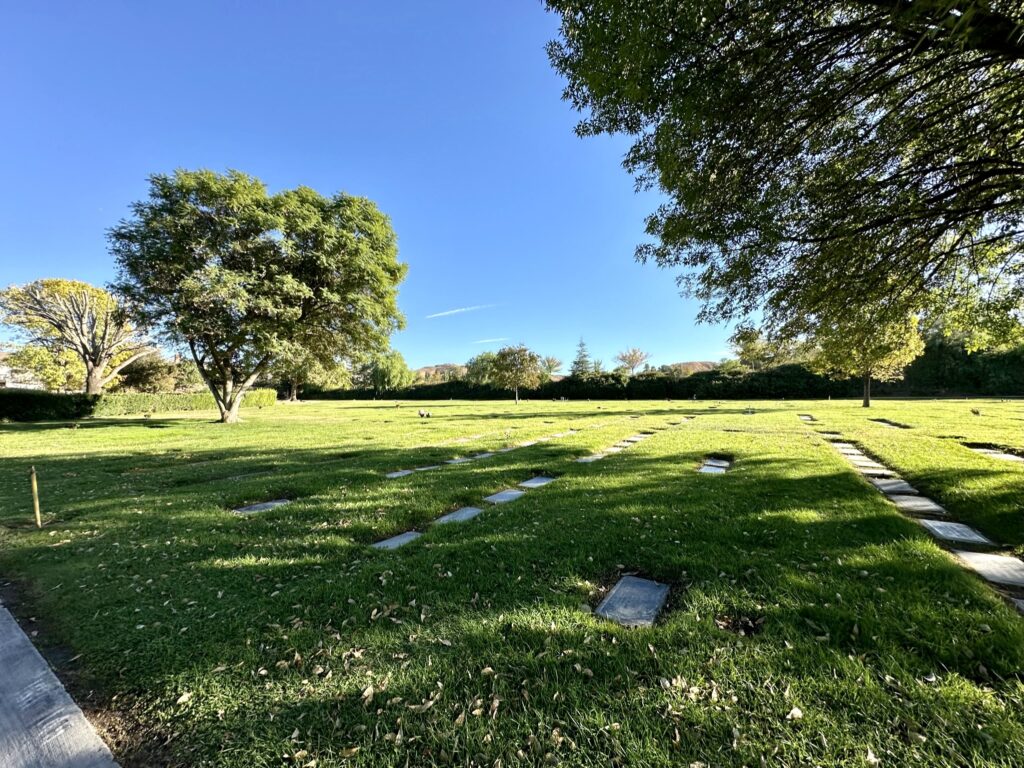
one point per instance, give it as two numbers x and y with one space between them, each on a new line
809 622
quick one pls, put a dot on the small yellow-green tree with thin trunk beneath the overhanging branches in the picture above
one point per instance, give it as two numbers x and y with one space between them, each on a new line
858 346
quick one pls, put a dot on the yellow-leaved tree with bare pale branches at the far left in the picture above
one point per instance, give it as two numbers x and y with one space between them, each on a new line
70 318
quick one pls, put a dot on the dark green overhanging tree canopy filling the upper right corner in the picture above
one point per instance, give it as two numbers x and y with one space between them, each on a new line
787 135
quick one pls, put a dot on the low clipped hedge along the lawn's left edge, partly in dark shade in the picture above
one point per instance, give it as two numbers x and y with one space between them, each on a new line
31 405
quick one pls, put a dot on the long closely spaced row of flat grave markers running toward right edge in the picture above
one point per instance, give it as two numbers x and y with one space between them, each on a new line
1002 571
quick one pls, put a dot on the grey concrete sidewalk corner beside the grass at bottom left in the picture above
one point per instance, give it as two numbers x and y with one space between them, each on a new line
40 726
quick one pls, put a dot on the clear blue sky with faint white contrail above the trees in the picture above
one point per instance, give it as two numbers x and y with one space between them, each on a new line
448 115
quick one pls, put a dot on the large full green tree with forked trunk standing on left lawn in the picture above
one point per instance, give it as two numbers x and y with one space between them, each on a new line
241 277
